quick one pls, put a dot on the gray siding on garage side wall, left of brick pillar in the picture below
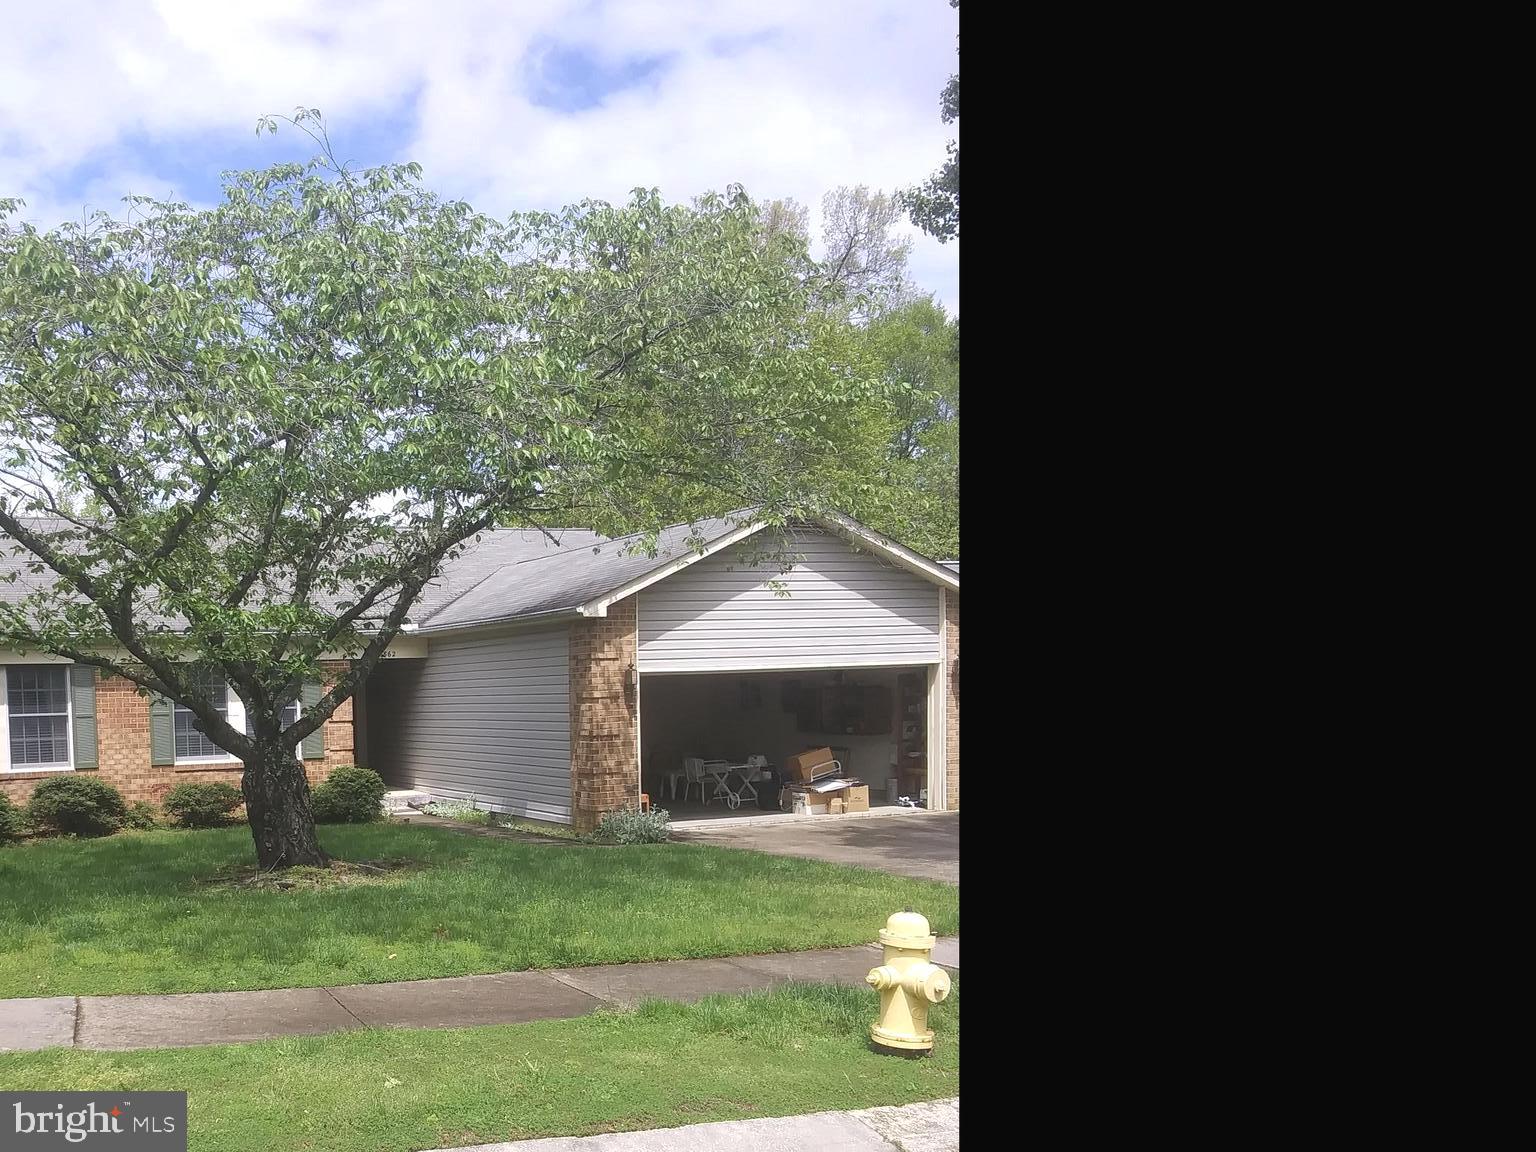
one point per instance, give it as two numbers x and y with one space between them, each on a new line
485 718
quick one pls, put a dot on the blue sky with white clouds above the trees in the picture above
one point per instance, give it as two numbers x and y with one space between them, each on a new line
506 104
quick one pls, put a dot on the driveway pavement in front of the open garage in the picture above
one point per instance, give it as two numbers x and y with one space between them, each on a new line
918 844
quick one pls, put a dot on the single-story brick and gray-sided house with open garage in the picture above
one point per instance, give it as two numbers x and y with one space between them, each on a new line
560 677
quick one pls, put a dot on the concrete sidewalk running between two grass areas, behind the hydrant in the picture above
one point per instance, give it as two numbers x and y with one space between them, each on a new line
127 1022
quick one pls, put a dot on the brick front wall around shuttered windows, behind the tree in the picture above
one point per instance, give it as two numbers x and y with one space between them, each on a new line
124 749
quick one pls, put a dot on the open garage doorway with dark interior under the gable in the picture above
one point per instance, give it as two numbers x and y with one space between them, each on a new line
873 720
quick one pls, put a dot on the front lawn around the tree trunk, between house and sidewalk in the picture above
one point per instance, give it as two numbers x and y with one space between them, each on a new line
131 913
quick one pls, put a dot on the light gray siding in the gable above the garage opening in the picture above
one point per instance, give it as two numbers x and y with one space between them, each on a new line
844 609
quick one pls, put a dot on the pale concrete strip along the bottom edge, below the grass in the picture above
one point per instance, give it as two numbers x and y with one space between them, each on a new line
932 1127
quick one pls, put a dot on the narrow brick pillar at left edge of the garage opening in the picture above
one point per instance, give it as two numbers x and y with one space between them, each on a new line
604 724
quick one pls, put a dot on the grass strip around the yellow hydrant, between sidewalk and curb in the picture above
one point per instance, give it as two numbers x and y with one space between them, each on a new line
795 1050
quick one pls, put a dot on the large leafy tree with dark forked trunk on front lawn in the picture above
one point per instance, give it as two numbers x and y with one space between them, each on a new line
242 440
